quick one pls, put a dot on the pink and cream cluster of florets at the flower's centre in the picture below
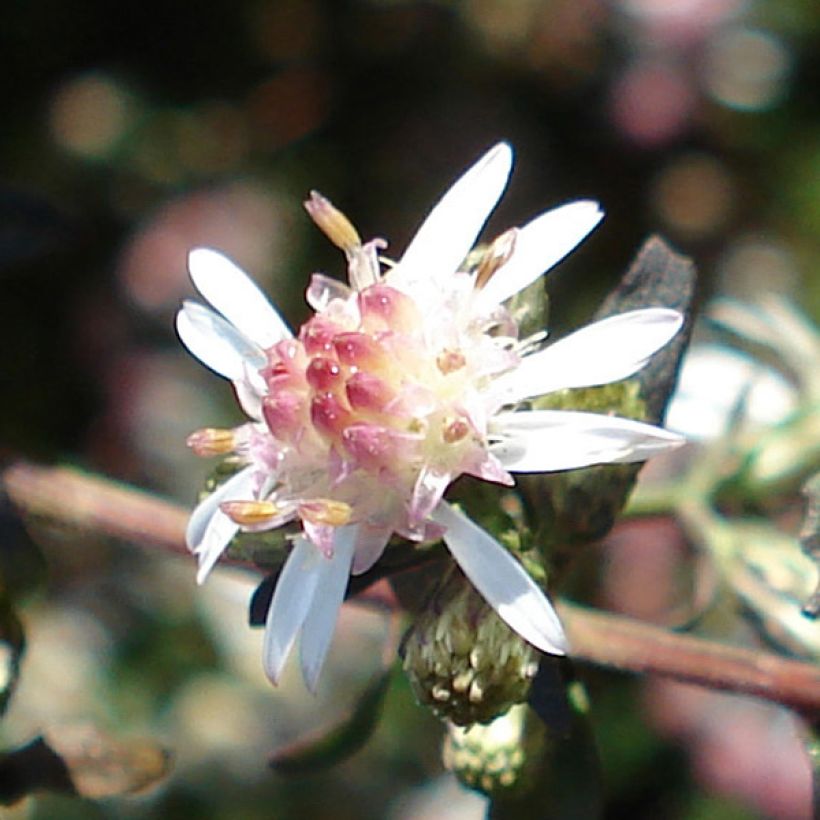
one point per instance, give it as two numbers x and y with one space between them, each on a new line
363 391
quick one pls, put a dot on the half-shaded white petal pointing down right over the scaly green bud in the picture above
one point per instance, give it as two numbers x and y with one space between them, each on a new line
505 584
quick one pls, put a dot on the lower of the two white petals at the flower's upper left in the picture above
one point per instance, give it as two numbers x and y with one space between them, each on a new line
215 342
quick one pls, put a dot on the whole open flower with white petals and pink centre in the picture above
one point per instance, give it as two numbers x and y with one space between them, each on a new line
403 380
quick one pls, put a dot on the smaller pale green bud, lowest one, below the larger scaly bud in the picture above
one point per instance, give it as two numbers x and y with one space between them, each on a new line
499 758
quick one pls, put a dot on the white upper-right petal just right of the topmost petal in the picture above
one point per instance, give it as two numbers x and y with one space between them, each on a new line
539 245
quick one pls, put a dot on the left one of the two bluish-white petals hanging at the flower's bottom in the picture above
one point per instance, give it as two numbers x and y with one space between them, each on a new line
292 598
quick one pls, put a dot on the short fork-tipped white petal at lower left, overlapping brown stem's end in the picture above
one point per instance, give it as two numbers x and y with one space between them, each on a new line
208 535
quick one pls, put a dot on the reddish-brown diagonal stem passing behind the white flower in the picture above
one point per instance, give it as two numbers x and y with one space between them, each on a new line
98 504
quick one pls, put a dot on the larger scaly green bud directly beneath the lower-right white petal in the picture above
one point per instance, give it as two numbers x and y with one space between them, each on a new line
463 661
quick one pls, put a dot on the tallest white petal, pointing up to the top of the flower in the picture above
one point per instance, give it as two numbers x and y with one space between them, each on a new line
452 227
